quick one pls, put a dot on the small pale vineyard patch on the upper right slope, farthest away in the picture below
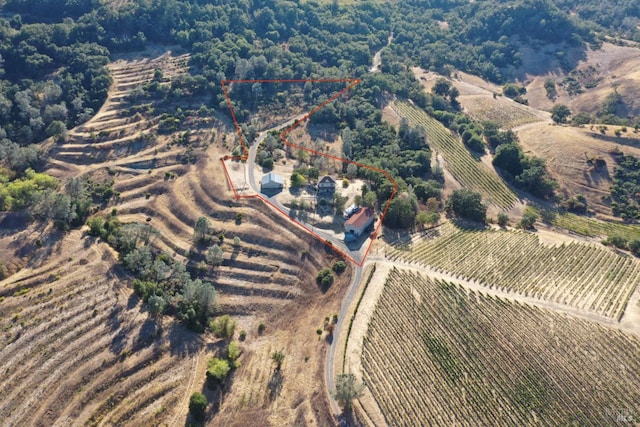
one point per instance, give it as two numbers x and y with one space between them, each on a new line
507 113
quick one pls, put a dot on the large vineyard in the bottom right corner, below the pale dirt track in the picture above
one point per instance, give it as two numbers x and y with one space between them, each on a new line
435 354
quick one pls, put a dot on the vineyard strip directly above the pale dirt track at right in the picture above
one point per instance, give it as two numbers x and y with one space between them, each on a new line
588 277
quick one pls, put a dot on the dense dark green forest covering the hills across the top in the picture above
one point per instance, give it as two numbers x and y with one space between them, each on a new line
53 76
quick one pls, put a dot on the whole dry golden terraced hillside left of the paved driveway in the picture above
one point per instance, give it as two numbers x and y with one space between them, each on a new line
79 348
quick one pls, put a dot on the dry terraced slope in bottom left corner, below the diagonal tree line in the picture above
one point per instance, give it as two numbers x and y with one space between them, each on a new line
77 350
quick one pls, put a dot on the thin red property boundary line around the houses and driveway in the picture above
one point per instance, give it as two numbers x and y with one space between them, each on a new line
283 136
